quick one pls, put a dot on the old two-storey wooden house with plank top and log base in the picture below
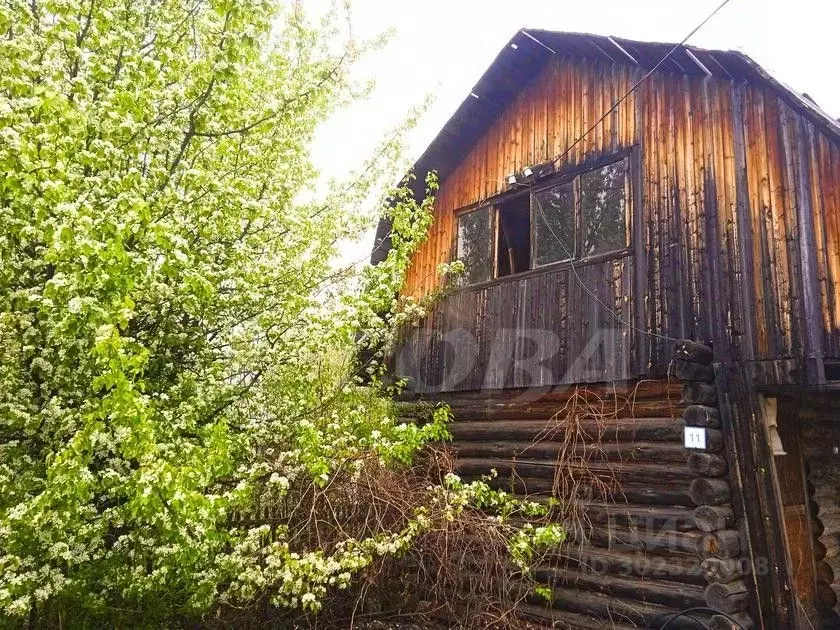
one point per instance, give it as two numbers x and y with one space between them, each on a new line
652 235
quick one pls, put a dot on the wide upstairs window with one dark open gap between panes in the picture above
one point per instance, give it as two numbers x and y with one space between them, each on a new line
575 219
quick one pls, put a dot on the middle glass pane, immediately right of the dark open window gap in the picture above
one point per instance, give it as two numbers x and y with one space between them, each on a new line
554 224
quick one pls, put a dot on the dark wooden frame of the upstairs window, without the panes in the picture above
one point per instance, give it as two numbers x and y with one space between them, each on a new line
568 176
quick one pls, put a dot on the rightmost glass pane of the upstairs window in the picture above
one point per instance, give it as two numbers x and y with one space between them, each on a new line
603 209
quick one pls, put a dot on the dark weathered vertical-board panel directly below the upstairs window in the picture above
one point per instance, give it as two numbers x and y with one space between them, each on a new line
537 330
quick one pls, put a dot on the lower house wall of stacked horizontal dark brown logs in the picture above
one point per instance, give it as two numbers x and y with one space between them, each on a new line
655 533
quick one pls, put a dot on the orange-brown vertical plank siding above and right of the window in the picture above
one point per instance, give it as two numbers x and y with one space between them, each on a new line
739 208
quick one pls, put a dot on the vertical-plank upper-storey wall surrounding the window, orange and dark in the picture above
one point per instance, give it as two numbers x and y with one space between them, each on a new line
736 215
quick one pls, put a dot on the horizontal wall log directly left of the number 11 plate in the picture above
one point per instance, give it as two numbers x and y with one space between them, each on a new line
607 430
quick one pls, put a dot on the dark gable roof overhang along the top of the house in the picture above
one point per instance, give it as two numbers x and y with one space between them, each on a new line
528 52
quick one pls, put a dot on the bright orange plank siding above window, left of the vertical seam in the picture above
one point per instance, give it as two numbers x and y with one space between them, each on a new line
556 108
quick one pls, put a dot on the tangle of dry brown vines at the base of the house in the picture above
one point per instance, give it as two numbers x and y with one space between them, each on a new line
457 574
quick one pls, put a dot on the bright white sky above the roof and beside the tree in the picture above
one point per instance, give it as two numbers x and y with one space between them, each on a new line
441 47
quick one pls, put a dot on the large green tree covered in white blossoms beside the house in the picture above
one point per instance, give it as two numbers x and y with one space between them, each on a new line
174 338
